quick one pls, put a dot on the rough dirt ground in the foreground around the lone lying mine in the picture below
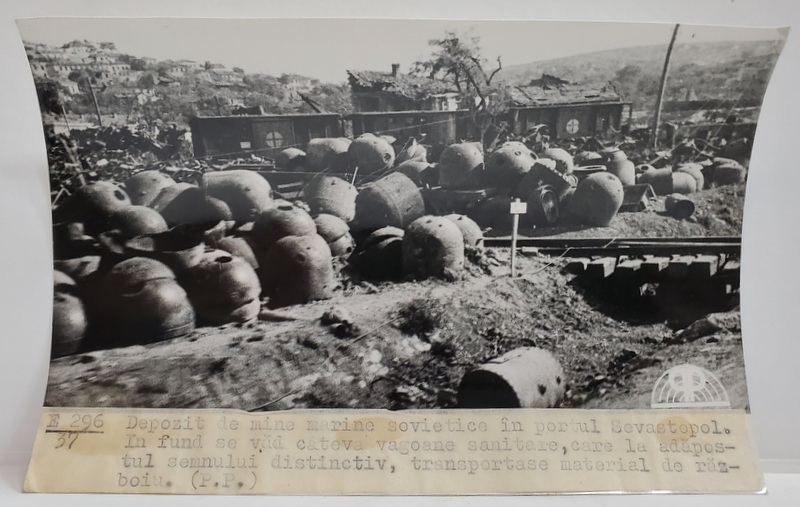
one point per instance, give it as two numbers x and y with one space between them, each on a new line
407 345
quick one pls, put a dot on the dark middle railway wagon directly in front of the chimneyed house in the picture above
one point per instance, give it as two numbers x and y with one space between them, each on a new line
439 127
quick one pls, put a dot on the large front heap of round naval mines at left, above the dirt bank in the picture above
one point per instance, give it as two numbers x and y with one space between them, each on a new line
150 259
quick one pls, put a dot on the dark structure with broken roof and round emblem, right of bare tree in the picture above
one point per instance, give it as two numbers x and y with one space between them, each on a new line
568 109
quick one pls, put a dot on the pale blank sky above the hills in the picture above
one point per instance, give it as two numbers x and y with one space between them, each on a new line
325 48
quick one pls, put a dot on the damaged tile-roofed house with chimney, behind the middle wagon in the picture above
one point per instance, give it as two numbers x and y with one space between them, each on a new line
393 91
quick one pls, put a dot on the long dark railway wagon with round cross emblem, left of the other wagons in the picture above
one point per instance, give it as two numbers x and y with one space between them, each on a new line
263 135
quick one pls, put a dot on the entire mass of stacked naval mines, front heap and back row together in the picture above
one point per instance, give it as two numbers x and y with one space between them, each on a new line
150 258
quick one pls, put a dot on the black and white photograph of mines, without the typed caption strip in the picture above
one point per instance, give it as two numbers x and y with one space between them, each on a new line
397 214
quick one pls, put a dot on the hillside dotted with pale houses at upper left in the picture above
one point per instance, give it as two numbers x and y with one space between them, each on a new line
138 89
